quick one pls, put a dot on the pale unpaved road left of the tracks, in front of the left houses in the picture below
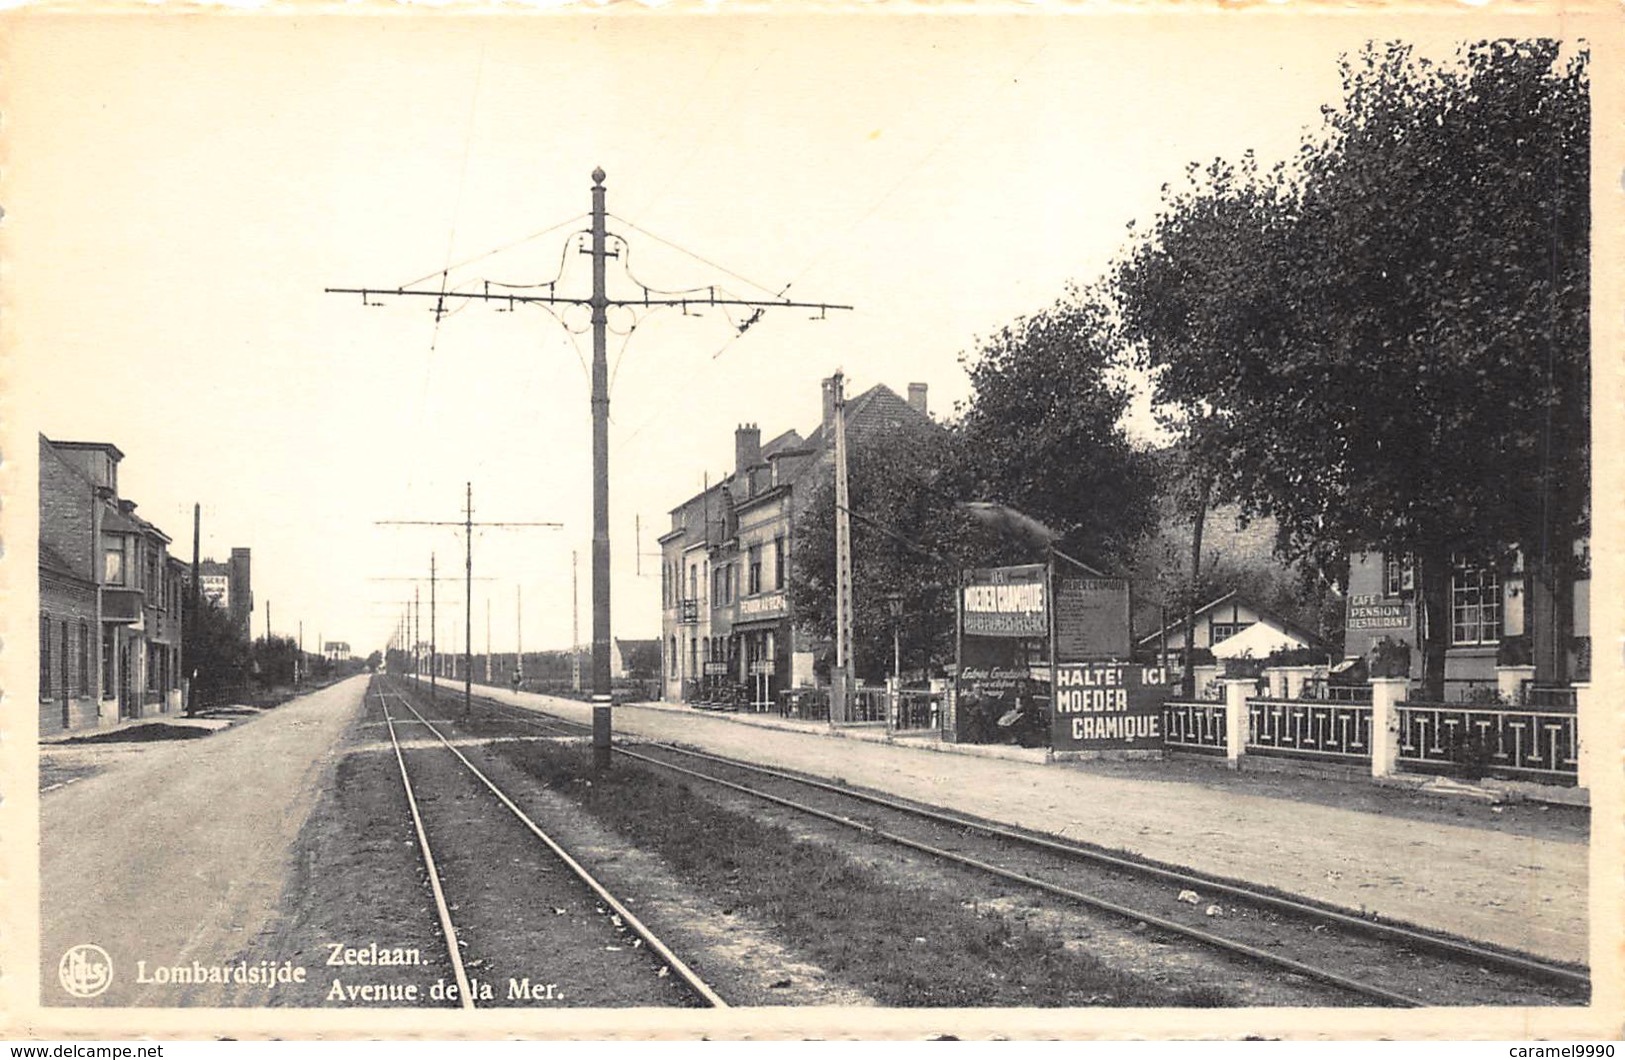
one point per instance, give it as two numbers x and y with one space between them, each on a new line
180 854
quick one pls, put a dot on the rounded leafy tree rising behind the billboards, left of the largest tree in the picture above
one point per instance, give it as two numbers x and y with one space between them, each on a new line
1042 430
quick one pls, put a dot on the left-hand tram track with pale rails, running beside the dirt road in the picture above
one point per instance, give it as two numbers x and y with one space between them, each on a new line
568 941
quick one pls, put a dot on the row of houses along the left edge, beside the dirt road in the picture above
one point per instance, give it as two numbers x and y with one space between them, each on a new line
111 597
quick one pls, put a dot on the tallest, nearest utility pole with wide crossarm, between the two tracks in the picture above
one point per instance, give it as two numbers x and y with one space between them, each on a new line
600 303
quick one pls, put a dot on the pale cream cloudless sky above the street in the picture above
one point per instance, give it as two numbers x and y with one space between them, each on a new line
181 191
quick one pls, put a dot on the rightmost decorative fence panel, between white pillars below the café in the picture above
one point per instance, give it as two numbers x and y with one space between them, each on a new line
1475 741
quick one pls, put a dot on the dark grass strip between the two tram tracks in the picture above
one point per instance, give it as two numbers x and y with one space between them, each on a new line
908 945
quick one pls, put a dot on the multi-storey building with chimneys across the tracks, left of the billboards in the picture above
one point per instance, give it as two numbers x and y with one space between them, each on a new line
726 563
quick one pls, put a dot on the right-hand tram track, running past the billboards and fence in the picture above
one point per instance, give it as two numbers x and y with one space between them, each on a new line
1364 960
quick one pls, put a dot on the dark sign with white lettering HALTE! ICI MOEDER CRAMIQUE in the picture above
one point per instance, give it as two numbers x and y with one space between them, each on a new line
1112 706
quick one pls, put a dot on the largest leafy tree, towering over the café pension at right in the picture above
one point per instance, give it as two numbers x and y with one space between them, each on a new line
1387 345
